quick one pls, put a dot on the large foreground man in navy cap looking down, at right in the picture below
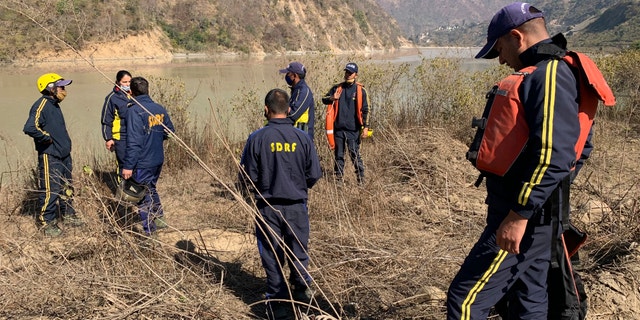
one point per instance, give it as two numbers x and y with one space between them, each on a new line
512 256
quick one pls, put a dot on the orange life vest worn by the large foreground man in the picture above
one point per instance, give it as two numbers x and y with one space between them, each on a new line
503 131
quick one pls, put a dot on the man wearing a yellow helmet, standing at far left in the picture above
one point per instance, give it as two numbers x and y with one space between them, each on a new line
47 128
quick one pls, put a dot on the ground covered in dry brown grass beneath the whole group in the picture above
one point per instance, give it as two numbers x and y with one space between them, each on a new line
385 251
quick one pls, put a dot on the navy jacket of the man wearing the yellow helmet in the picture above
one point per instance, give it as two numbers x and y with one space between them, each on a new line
47 128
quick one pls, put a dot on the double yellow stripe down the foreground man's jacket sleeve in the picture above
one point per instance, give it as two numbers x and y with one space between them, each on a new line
547 133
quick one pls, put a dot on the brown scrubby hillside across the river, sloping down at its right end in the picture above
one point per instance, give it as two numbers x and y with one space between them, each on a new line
204 26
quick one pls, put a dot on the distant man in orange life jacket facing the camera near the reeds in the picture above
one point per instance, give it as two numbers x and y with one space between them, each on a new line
346 123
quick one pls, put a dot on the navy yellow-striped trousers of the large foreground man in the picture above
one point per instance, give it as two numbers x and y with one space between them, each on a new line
488 273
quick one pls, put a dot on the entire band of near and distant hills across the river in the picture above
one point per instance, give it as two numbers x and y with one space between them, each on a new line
43 28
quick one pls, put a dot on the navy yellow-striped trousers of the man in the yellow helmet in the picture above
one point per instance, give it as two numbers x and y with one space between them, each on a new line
55 178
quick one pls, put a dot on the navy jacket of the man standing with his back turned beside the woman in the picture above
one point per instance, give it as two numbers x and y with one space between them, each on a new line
145 134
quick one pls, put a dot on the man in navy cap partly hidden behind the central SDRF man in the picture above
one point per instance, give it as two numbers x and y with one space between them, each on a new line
301 101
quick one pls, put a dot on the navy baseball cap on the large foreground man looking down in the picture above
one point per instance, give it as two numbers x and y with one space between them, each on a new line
505 20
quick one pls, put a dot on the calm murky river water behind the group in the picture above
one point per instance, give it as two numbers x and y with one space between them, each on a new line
218 82
